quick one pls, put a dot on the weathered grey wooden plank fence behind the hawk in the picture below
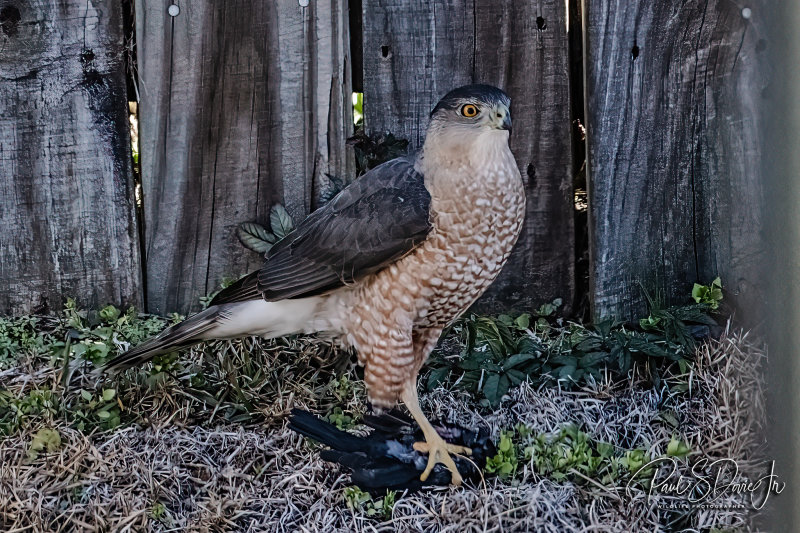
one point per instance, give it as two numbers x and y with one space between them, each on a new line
243 104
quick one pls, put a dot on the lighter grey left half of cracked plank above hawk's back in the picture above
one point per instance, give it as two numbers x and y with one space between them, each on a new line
415 51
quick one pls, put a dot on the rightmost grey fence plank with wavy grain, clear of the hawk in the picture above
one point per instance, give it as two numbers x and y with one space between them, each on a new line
674 153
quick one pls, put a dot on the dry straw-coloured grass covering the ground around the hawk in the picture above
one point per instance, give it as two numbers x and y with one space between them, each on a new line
182 465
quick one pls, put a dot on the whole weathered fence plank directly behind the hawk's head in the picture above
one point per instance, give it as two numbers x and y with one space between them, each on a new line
415 52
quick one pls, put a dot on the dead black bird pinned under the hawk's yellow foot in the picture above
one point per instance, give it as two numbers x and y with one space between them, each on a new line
386 458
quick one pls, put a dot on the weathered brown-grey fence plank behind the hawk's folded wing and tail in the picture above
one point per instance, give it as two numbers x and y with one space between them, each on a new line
244 104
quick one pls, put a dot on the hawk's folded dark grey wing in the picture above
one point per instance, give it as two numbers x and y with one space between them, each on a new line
373 222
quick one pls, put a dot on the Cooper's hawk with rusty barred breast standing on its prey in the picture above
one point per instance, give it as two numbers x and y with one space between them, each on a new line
389 262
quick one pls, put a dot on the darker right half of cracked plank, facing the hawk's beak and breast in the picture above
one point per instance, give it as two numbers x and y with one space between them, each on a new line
523 47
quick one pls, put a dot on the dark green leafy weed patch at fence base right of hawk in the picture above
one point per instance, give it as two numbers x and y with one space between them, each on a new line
502 352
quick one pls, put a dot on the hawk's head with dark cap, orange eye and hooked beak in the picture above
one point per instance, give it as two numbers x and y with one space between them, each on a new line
474 106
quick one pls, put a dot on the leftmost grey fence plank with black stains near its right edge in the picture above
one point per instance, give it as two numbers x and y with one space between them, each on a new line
67 224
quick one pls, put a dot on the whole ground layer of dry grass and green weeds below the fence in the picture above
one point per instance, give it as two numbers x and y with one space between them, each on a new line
199 440
